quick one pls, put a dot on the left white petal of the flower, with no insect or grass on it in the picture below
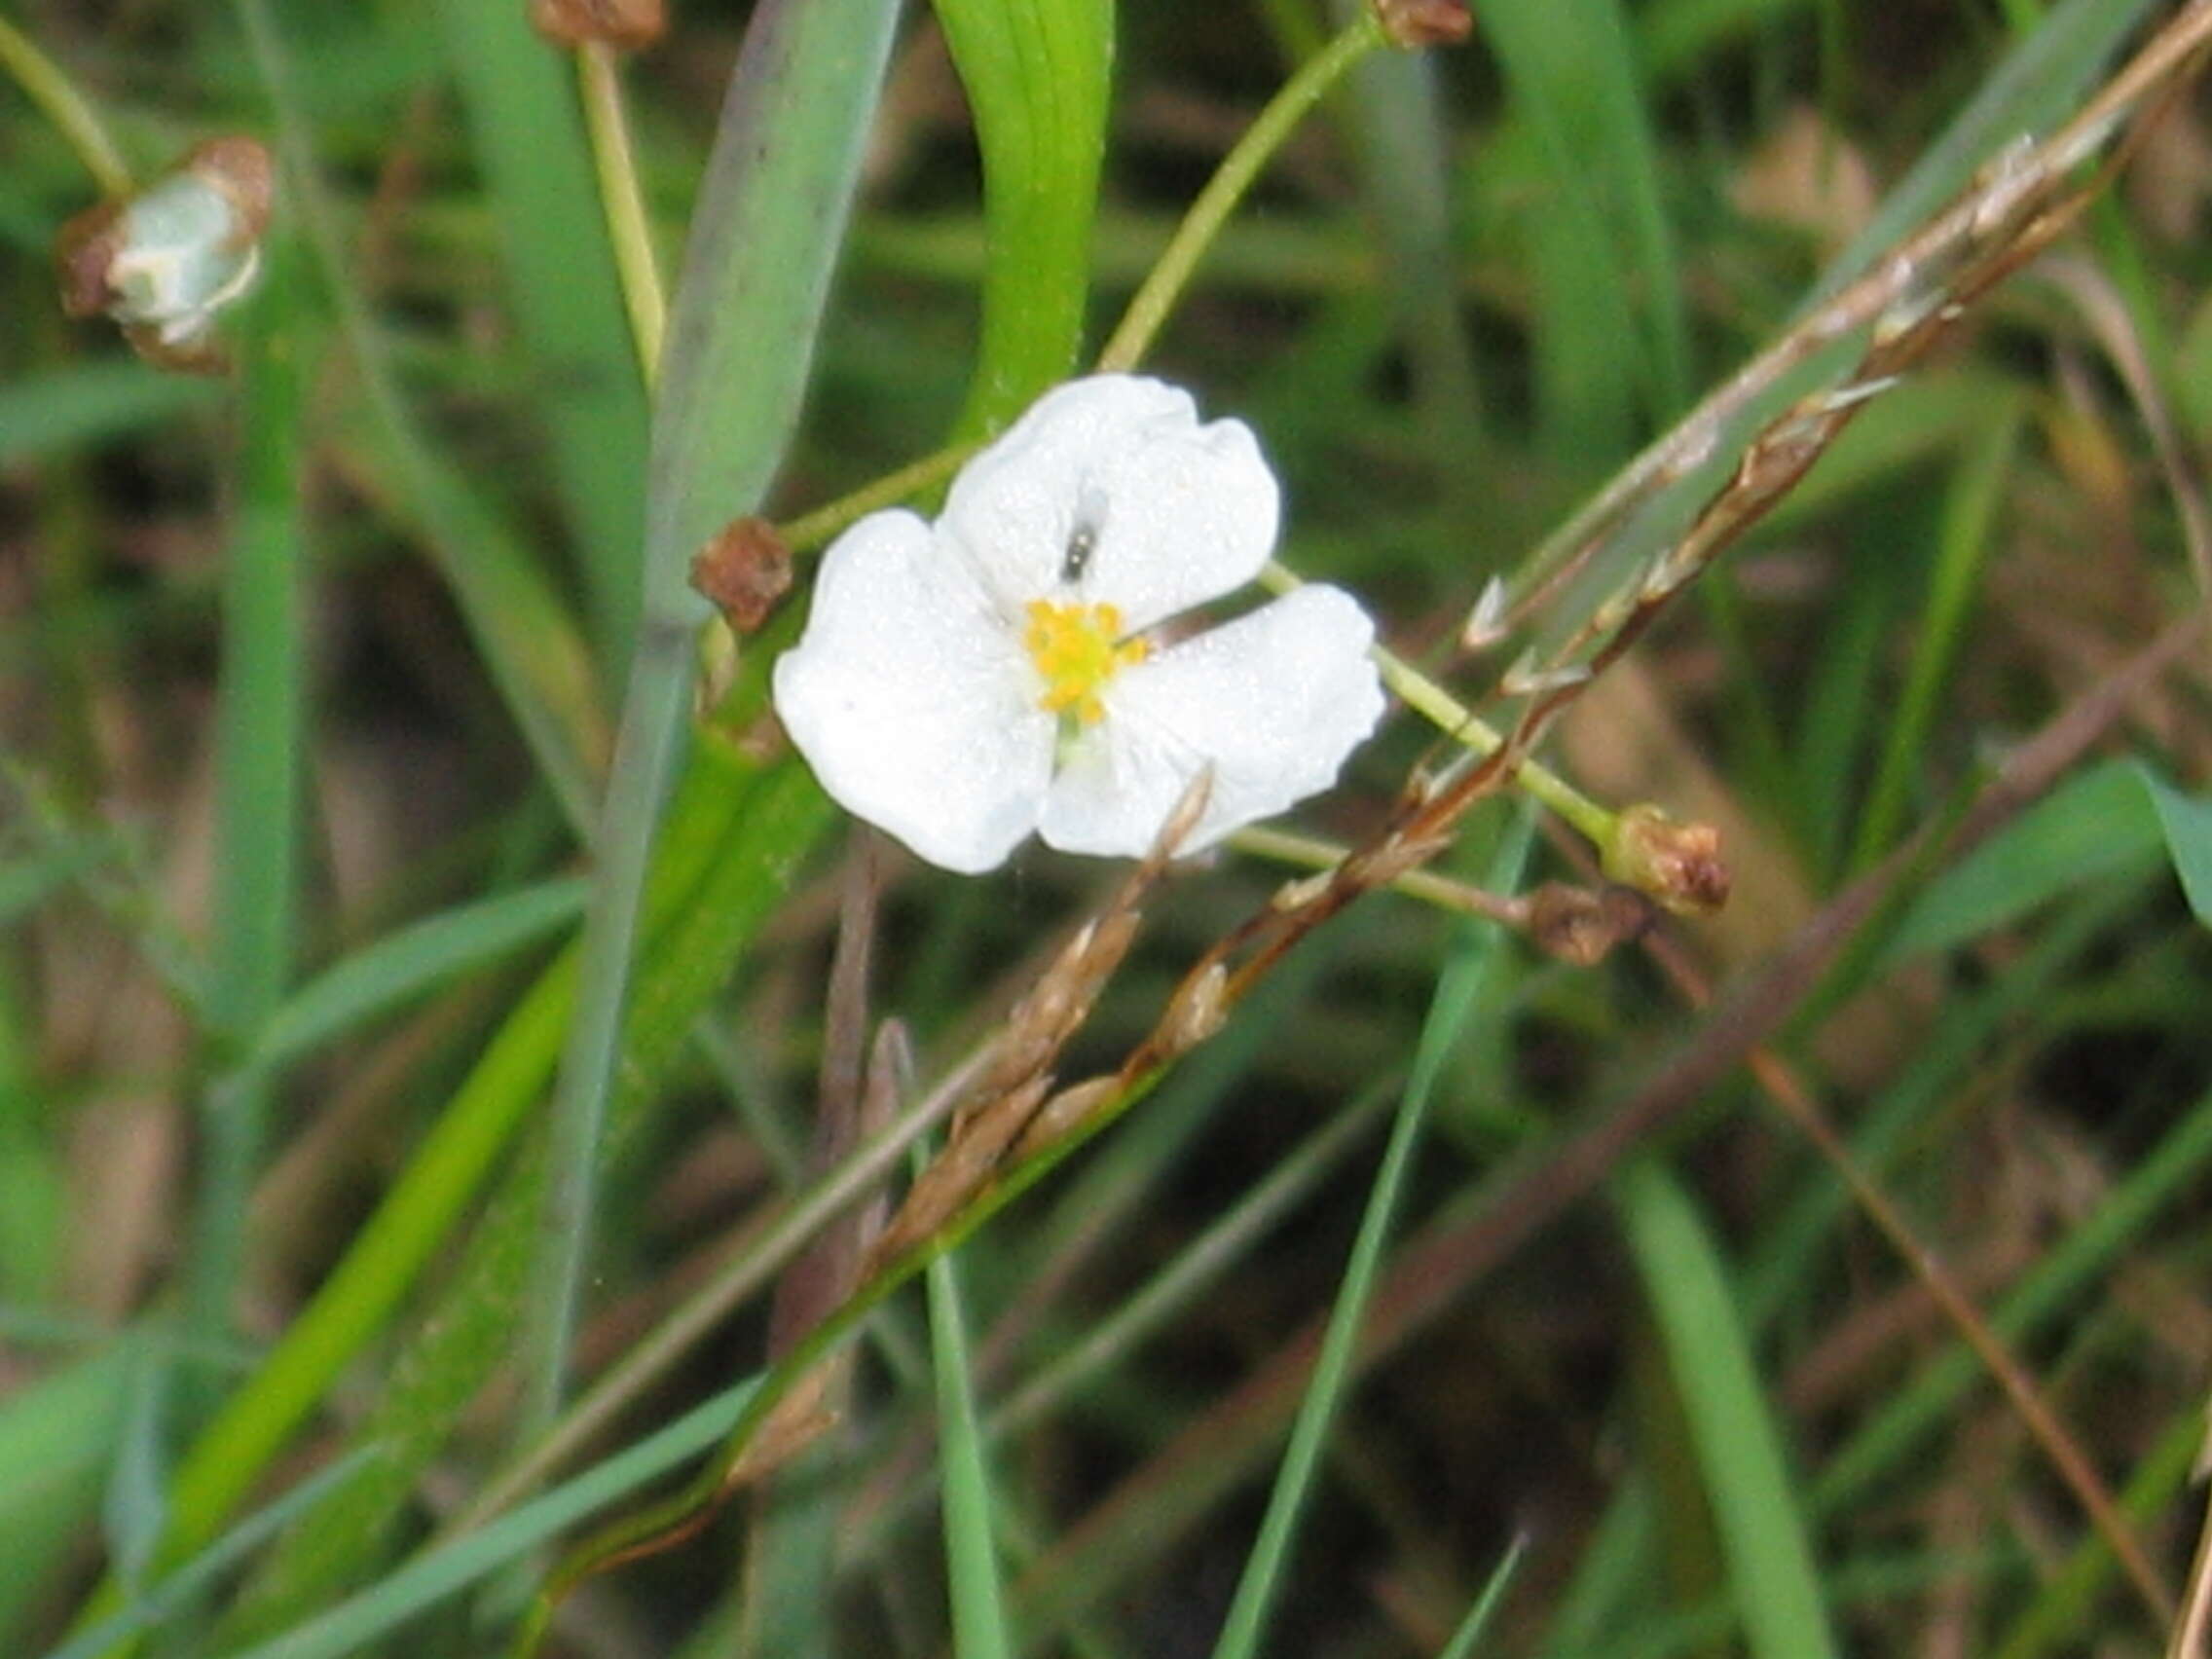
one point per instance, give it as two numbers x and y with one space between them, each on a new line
912 702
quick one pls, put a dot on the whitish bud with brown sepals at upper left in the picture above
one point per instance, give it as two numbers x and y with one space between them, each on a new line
176 255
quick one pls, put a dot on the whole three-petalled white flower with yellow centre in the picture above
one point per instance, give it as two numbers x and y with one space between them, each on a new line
997 674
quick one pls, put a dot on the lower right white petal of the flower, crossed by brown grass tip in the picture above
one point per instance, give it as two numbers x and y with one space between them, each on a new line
1273 702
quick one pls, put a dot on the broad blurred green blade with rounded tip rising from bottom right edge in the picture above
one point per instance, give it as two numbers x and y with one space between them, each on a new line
1740 1450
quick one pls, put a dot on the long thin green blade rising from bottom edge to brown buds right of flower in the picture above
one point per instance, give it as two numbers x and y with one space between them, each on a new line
1465 983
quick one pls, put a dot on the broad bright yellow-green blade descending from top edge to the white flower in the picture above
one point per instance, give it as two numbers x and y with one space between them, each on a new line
1039 76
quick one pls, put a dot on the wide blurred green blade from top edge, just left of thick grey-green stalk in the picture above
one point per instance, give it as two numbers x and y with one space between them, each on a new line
539 174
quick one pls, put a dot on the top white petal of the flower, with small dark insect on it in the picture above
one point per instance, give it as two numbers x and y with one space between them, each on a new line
1116 477
